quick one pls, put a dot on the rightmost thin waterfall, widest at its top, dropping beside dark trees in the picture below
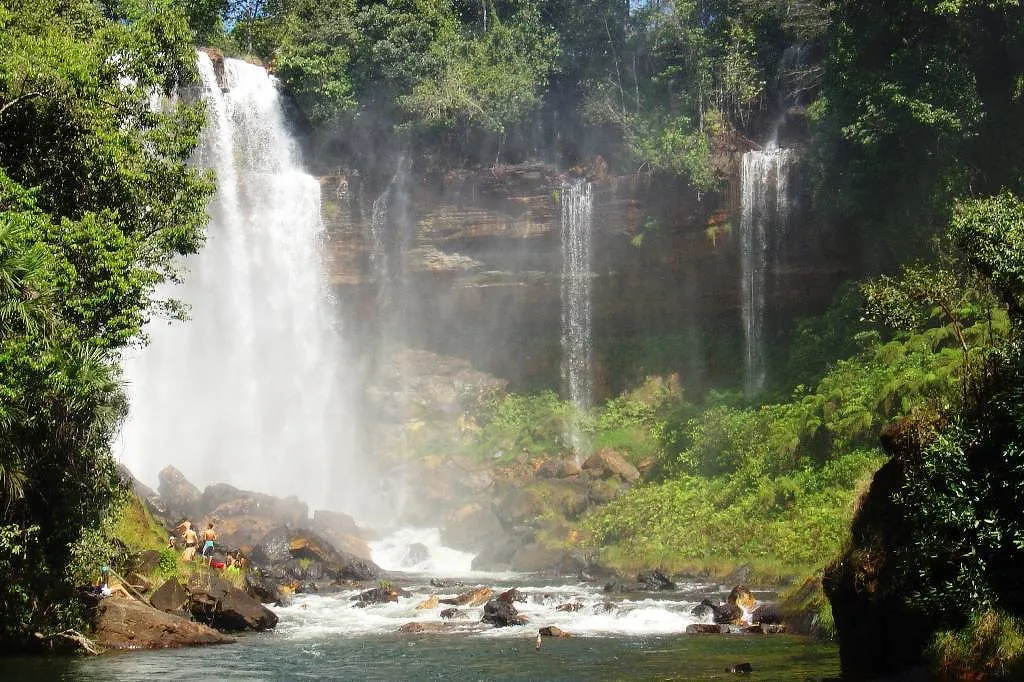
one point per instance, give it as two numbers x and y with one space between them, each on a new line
765 209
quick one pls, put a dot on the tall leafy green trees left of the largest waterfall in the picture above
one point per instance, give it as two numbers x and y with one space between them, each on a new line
96 200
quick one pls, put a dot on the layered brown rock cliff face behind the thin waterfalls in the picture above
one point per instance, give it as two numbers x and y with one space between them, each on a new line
468 266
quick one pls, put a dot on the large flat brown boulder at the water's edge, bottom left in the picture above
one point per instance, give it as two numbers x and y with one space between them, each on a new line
127 624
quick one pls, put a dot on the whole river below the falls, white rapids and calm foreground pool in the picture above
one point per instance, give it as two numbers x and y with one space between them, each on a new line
623 636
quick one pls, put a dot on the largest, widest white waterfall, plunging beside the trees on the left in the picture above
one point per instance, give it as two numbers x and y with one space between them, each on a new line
253 390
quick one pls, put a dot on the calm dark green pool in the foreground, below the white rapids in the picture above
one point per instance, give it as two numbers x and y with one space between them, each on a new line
455 657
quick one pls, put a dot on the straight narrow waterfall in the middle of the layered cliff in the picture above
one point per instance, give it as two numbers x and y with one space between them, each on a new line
576 338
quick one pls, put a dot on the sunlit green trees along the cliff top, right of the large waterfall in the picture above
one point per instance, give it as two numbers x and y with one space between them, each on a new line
661 84
